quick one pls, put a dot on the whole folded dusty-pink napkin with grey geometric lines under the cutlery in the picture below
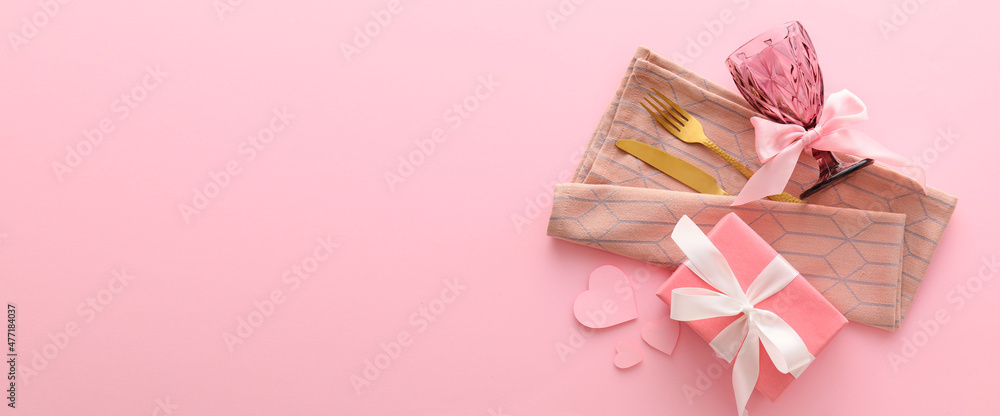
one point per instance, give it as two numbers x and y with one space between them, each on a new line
870 276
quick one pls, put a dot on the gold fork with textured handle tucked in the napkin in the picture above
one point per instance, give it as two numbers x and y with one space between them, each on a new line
683 126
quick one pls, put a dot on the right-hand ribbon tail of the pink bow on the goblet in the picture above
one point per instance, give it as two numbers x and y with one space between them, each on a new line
856 143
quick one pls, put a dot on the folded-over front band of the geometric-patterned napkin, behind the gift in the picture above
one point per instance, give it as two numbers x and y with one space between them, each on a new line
850 256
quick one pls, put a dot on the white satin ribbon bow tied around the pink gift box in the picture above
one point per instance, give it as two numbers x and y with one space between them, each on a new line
754 326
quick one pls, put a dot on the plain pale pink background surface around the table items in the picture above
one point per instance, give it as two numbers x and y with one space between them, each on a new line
158 344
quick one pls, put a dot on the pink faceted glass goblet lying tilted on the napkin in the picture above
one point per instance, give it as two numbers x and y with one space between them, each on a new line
778 74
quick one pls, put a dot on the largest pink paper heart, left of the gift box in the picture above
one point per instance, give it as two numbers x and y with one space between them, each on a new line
609 301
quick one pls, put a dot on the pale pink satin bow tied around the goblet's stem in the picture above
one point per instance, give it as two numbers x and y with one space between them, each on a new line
779 145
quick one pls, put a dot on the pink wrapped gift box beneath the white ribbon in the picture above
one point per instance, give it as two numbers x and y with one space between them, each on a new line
799 304
